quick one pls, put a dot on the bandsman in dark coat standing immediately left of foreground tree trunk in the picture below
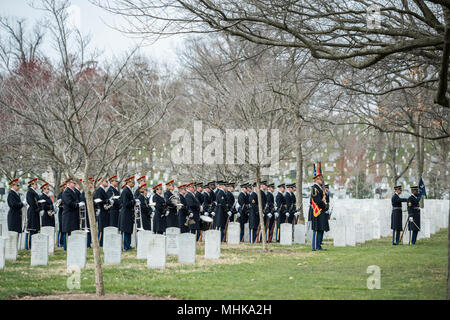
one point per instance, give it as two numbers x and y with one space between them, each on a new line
70 217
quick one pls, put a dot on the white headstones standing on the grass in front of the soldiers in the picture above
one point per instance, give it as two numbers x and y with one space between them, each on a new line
352 222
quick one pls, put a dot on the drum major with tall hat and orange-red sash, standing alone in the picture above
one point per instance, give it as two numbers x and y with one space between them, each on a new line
319 219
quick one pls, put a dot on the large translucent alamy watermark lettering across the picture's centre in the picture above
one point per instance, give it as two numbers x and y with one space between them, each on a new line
213 147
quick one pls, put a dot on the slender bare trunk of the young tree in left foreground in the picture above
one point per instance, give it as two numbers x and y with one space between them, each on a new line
99 288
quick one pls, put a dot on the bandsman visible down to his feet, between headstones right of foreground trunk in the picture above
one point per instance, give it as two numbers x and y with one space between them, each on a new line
126 215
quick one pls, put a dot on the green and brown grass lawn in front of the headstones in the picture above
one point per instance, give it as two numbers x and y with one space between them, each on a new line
245 272
